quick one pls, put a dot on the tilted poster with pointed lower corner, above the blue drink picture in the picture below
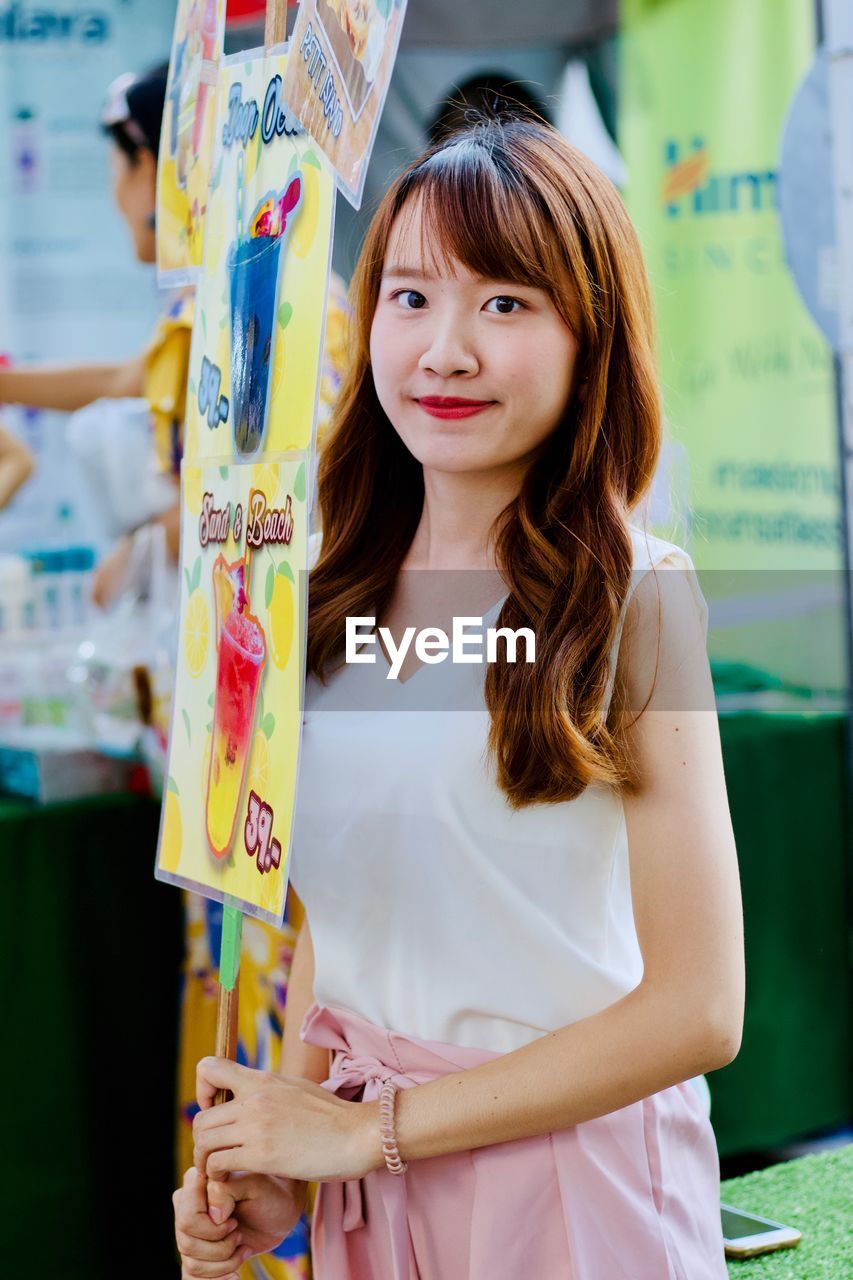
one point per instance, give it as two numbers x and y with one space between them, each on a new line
344 56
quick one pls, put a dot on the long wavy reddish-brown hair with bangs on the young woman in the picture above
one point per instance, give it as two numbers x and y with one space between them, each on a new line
514 202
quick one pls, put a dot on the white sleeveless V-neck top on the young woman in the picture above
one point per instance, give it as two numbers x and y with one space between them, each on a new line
435 909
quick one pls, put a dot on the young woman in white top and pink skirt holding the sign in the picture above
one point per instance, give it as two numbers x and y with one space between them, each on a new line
522 915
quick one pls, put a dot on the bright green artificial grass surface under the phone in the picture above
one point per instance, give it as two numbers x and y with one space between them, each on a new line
815 1195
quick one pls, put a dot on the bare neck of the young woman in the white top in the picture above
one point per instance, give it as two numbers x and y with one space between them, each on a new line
457 524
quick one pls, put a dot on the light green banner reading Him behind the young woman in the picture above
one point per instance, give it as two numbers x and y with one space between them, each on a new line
750 477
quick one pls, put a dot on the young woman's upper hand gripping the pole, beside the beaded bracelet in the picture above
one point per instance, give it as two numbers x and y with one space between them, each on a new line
284 1126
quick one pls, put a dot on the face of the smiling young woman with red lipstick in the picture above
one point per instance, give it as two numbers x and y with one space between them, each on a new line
475 374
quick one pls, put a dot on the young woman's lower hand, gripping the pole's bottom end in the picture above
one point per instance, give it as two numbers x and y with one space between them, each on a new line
218 1226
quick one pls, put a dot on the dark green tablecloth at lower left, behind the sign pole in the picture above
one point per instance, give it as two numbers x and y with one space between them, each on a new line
92 956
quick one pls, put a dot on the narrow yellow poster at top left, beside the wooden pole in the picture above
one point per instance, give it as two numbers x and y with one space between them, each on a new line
188 139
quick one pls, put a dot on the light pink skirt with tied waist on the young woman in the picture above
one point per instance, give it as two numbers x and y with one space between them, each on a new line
630 1196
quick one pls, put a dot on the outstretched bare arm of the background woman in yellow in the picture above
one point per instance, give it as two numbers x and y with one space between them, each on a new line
70 387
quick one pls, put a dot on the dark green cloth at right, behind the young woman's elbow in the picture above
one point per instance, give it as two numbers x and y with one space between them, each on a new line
788 796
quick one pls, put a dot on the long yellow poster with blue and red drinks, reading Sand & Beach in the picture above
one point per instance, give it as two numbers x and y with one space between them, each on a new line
253 390
